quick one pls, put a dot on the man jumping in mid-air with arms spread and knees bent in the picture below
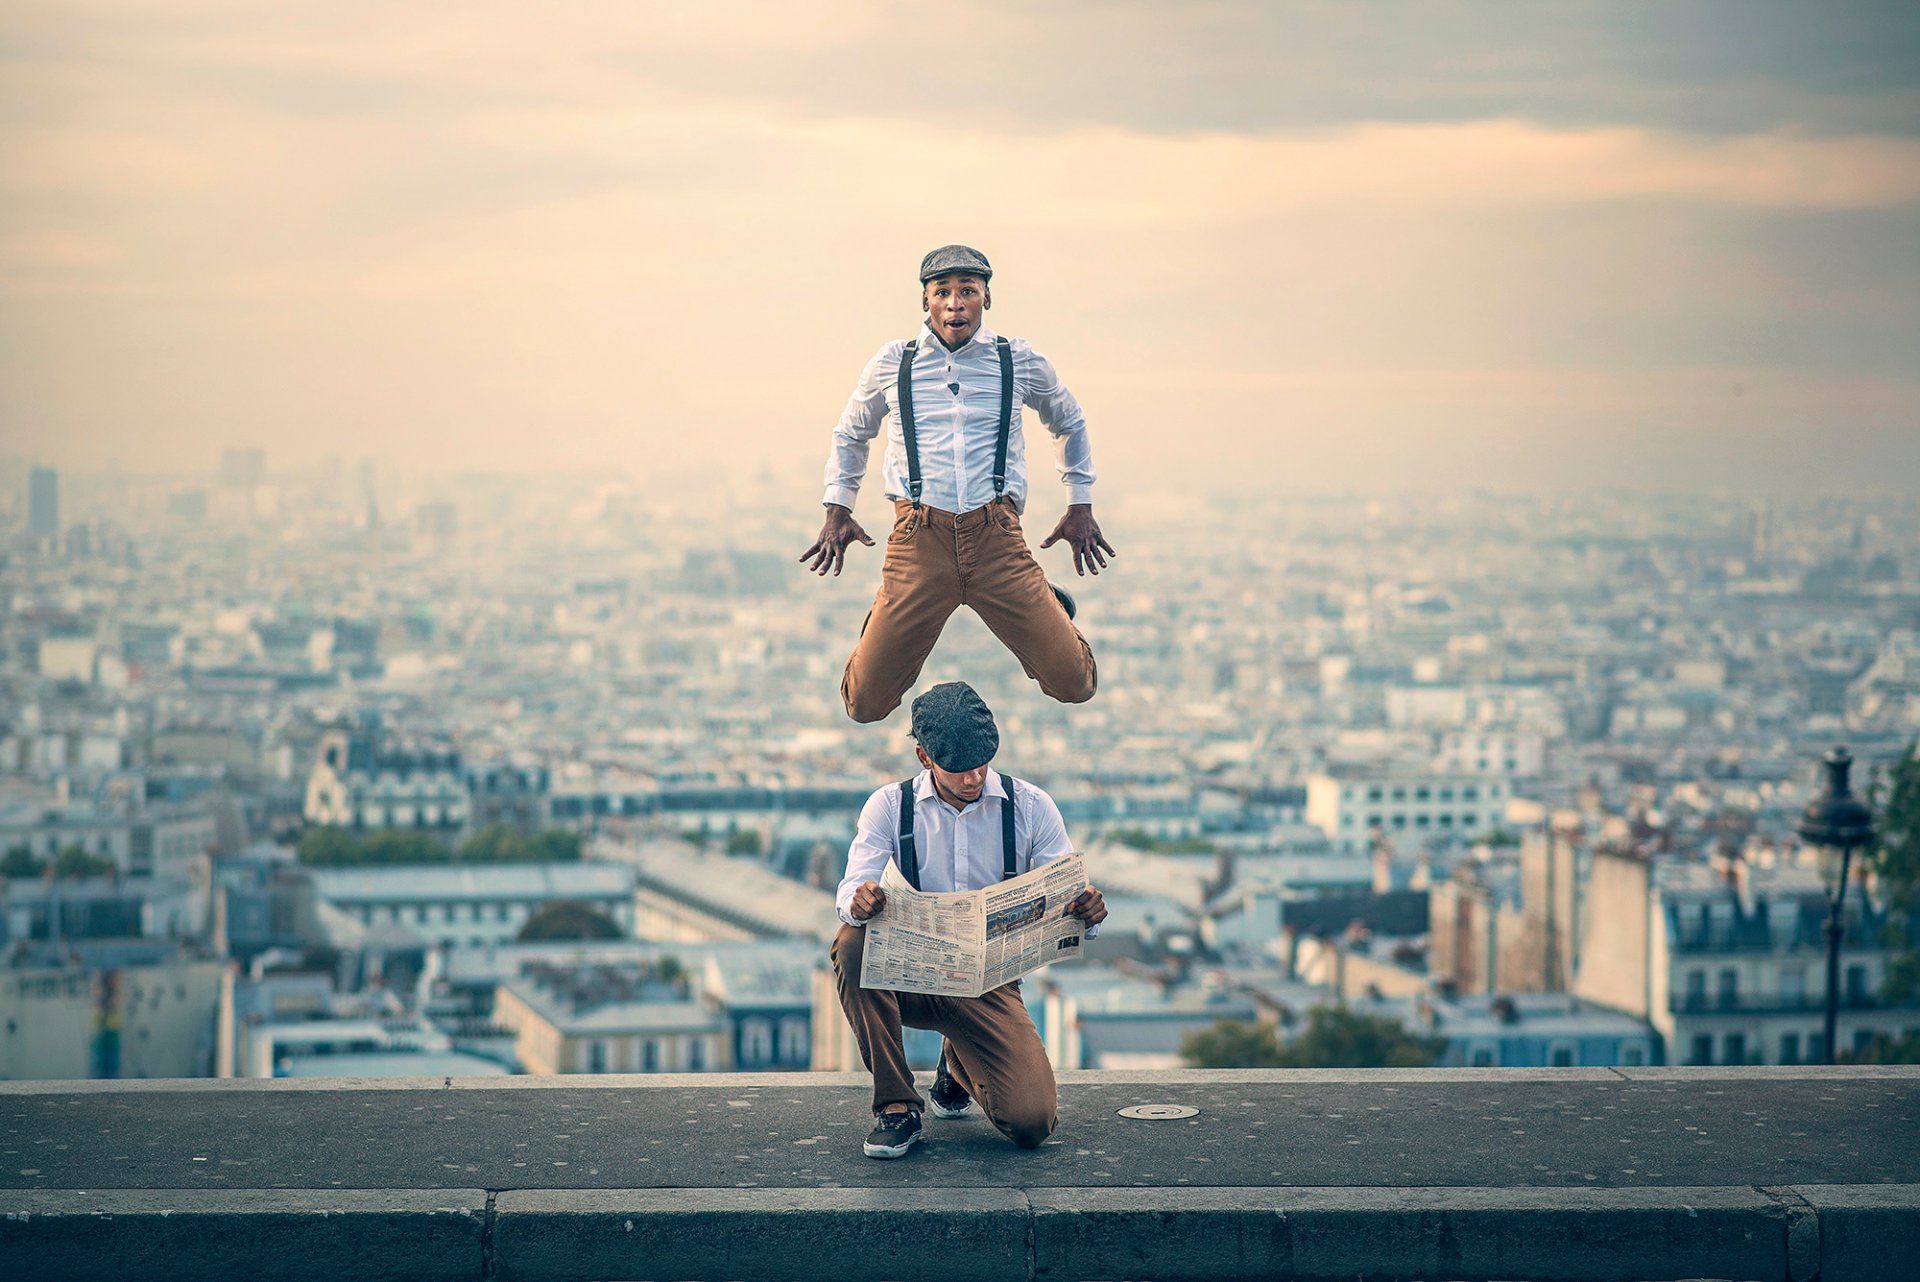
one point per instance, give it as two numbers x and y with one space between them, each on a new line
957 473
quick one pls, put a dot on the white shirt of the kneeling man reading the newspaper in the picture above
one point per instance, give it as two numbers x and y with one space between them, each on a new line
957 849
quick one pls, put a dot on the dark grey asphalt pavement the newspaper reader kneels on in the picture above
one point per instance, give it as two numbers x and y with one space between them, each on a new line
1312 1129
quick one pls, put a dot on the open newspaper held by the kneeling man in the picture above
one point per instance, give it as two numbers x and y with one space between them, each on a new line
967 943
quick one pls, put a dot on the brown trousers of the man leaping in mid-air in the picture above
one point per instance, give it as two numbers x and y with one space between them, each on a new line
940 561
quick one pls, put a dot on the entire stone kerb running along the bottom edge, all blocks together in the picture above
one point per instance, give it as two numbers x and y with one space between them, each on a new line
969 1235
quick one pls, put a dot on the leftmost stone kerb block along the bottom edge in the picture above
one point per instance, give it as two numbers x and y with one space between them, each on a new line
195 1235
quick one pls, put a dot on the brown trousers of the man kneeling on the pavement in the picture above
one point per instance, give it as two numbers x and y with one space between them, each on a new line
994 1049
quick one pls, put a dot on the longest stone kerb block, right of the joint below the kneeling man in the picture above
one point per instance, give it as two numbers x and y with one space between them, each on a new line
1541 1235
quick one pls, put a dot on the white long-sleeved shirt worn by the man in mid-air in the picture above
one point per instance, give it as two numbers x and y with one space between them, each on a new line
957 417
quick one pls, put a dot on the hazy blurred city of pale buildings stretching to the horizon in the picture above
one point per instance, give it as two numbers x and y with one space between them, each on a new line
335 772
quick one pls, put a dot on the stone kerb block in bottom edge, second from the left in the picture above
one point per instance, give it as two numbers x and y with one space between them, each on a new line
754 1235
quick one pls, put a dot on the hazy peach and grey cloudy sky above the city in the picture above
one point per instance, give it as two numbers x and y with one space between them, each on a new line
1291 247
